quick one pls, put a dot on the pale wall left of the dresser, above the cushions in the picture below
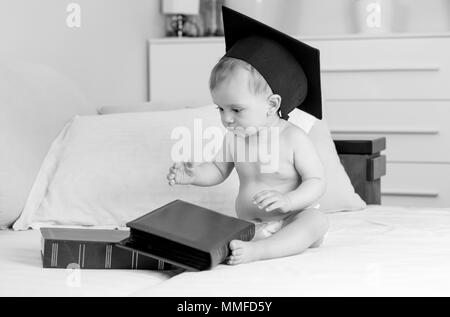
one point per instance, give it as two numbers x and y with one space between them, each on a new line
106 56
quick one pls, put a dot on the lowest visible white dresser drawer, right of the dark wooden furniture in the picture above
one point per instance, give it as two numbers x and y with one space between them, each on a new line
422 185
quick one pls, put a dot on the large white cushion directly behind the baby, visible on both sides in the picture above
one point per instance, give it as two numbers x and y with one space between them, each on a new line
108 170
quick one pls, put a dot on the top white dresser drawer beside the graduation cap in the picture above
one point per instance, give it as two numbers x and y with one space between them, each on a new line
374 68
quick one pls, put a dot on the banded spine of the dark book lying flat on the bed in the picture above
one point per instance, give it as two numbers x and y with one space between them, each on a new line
95 255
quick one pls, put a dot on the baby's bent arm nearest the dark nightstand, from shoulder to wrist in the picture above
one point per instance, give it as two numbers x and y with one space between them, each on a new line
309 166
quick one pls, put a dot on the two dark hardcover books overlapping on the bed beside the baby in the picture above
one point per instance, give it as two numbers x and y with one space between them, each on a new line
176 235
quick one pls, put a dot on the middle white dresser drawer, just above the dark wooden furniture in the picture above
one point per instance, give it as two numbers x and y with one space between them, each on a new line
415 130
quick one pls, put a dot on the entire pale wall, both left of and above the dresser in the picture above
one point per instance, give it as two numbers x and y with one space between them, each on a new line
106 57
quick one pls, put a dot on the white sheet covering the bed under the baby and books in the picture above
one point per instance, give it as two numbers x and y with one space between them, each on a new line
380 251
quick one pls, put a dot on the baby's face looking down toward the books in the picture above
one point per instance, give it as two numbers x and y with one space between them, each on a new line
238 106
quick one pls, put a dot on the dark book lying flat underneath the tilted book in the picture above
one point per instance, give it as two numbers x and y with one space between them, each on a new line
92 249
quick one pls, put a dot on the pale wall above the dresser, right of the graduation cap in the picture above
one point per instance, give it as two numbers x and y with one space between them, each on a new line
324 17
